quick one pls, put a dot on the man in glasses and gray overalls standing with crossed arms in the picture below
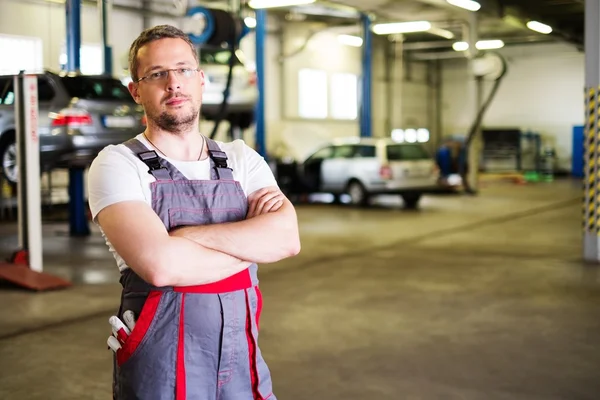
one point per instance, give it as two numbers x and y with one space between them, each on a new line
187 219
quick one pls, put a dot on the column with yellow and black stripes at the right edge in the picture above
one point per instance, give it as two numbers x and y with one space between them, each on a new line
591 180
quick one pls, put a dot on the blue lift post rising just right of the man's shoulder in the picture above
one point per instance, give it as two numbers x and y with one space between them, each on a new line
261 39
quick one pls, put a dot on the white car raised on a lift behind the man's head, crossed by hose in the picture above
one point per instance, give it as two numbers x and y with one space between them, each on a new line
243 92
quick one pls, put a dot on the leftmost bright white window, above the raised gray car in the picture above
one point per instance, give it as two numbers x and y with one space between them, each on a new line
20 53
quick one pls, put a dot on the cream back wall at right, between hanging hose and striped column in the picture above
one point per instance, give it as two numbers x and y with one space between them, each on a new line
542 92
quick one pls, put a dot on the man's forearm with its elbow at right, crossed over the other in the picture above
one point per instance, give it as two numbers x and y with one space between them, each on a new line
263 239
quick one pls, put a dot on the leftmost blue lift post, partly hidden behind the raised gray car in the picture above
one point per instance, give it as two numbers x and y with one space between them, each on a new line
78 224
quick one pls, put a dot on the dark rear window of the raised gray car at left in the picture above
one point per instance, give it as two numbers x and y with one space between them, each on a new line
96 88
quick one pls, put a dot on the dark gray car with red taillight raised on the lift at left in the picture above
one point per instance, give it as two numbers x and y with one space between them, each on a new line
78 116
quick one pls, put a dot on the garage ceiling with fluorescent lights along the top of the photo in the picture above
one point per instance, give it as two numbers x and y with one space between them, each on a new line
497 19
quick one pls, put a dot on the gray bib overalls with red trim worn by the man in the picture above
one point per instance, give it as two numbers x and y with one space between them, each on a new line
193 342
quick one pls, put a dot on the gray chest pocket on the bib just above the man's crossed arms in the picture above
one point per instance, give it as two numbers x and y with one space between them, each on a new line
185 216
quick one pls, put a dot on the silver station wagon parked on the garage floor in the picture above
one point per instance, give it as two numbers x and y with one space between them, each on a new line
361 167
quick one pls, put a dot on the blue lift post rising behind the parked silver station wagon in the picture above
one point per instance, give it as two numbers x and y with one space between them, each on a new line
367 73
